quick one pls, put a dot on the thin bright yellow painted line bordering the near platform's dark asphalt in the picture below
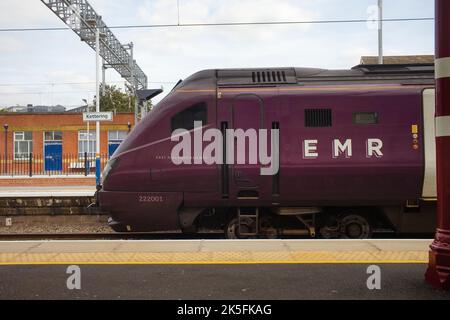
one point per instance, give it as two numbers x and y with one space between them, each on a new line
74 262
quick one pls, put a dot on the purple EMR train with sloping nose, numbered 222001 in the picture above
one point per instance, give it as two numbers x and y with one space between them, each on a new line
339 154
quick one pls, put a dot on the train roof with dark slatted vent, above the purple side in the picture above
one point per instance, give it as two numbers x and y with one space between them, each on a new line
414 74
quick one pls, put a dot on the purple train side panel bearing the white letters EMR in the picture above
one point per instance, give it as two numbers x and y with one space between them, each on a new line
356 177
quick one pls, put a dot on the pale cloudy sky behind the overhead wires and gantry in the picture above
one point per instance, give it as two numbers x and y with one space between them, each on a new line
55 67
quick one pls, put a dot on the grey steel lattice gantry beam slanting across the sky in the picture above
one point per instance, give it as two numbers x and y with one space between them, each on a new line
83 20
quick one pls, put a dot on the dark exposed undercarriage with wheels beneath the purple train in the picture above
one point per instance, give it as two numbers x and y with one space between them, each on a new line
312 222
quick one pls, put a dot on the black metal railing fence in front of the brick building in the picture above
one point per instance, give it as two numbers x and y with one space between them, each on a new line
50 165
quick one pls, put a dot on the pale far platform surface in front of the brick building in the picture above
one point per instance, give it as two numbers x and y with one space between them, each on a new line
53 191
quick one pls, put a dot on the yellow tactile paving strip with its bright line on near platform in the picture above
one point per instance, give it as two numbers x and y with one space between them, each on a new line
214 258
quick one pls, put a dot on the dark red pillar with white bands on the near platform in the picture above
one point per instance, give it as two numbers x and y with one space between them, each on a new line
438 272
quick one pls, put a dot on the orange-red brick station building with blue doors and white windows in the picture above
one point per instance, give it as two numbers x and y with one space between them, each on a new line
56 144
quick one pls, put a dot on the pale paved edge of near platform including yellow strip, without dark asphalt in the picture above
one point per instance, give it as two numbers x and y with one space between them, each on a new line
215 252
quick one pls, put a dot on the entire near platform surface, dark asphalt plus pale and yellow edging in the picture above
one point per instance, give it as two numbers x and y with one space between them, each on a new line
216 269
